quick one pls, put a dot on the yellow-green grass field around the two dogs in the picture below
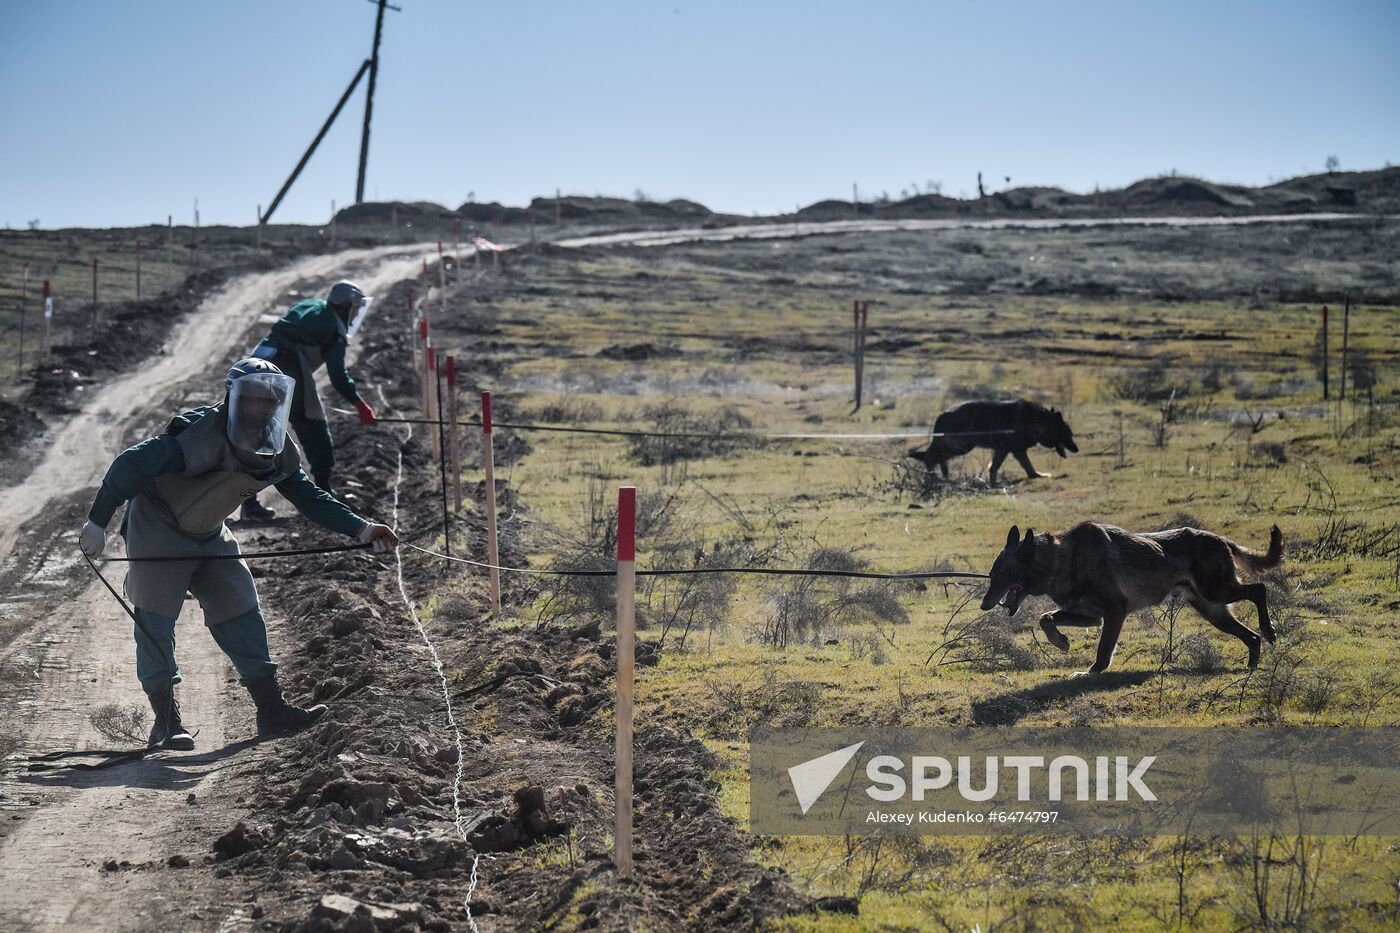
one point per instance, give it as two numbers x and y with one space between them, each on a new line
1185 362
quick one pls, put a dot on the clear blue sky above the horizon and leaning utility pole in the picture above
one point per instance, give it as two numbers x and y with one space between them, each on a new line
121 113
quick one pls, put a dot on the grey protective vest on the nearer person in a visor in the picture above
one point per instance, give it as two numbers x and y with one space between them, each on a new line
215 483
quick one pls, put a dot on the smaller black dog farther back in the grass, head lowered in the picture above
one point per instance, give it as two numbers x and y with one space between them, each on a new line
1006 428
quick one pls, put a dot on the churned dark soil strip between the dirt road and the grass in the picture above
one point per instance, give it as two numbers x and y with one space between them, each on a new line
363 805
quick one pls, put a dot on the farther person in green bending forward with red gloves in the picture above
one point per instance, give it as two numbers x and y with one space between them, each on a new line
314 334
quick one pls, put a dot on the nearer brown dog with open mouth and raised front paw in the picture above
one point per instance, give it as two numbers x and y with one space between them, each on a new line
1100 574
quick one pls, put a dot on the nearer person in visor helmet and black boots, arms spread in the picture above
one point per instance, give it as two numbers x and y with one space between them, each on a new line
181 488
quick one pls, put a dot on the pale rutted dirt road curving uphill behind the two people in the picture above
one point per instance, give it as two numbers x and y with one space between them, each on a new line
78 659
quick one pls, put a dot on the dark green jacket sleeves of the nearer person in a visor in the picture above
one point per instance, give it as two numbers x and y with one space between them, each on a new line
135 471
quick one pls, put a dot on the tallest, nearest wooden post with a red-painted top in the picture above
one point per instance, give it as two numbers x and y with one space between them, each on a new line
626 673
